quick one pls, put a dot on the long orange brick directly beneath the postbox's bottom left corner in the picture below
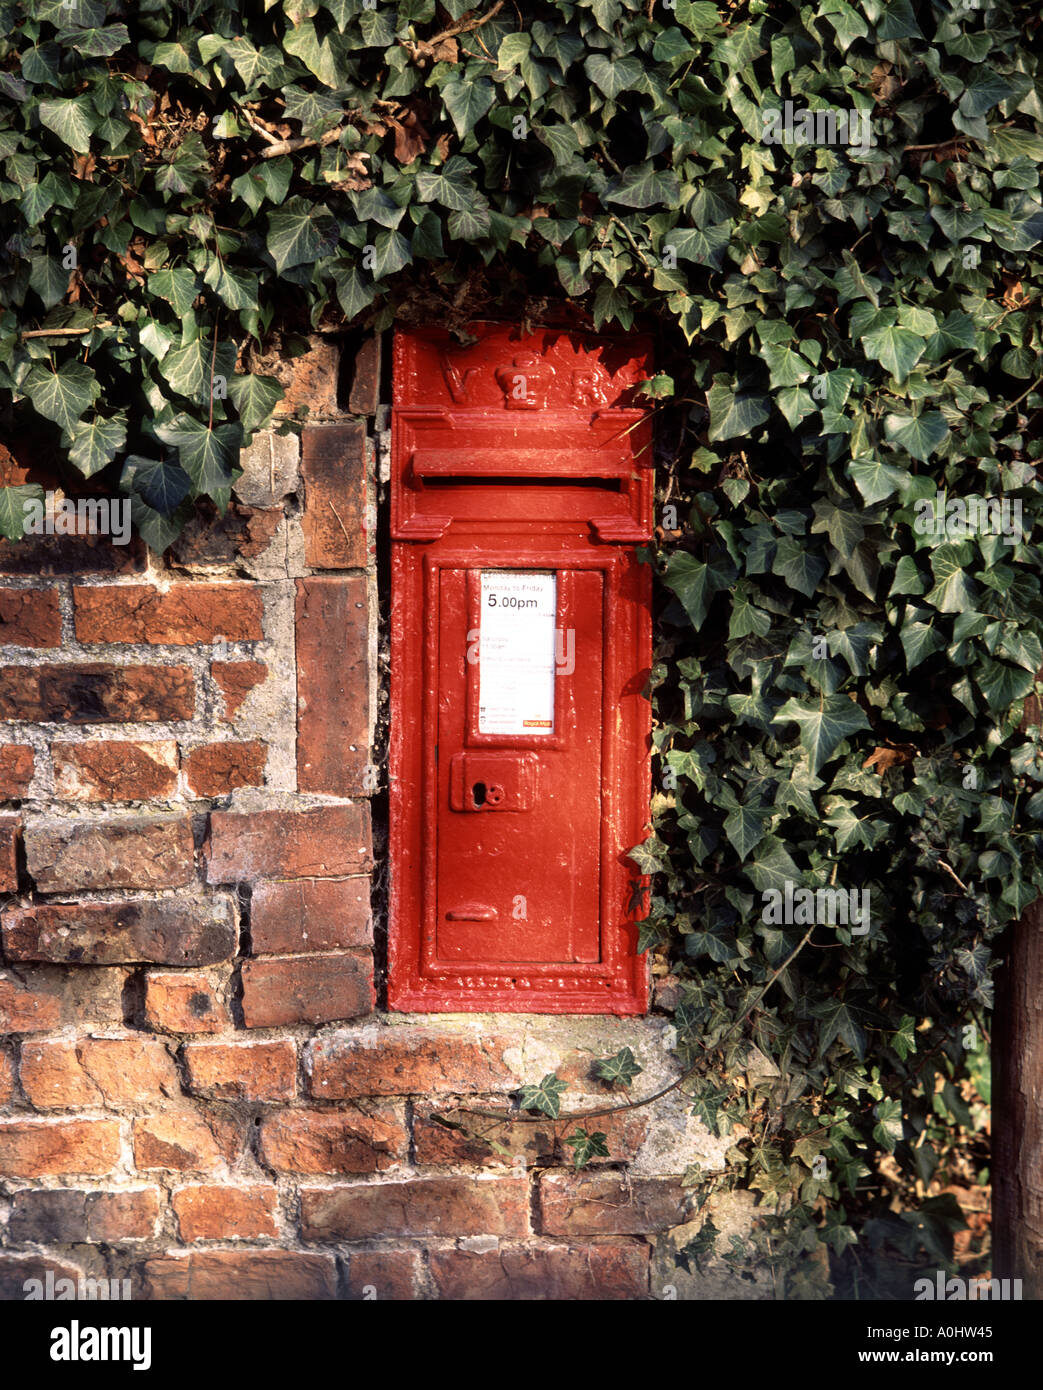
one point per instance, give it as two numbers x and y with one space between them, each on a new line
407 1061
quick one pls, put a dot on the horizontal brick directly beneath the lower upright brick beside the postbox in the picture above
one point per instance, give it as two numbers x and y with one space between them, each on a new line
328 843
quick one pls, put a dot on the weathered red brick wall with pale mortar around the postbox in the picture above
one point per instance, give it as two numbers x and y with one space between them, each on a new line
200 1089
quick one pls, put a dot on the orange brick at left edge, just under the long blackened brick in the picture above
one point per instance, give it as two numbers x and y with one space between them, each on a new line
41 999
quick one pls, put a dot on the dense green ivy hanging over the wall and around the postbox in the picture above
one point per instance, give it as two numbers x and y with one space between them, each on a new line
846 330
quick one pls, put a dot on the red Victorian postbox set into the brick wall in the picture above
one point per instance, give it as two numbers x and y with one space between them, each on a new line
521 644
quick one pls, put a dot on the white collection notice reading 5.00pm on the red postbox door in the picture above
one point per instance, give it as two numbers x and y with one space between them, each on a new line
517 654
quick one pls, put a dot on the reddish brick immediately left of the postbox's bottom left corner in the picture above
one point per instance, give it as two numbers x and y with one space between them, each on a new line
307 990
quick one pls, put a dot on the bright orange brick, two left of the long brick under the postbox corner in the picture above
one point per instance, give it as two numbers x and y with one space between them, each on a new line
67 1072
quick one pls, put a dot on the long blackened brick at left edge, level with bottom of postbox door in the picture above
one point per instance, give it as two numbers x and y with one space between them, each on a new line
161 931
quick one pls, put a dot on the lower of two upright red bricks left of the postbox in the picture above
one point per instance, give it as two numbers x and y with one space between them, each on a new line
333 696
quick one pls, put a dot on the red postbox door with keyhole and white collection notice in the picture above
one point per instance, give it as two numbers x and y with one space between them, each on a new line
519 808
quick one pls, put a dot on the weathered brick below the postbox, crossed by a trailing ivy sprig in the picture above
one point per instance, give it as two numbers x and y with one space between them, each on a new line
536 1140
